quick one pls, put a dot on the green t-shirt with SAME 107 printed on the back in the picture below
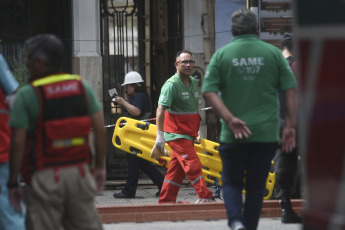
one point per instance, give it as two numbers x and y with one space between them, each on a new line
248 73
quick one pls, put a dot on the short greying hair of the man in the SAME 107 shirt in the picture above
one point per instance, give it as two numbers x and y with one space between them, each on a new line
243 21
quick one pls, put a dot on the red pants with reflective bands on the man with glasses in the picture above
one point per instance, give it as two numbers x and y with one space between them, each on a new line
183 162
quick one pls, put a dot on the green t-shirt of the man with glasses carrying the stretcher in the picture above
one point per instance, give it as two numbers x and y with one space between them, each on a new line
187 102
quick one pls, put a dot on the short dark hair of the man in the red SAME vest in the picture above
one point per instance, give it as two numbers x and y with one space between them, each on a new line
48 47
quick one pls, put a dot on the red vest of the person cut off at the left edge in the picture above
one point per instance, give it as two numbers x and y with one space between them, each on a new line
5 130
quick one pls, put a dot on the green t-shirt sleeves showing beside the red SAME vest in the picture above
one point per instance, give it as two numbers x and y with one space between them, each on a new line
25 110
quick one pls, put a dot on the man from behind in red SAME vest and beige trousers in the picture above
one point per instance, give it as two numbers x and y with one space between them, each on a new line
51 120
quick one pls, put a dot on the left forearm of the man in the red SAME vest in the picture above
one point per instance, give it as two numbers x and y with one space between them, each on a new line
16 154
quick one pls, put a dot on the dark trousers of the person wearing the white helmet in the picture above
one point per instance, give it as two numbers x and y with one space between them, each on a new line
134 165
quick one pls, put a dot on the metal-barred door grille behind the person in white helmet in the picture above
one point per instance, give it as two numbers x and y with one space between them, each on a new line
119 49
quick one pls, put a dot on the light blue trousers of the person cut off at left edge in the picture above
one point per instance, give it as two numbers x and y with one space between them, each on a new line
9 217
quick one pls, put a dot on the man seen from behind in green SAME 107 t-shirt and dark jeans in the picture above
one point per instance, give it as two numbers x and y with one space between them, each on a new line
241 84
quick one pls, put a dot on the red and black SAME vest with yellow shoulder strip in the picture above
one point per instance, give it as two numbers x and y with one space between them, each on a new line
61 132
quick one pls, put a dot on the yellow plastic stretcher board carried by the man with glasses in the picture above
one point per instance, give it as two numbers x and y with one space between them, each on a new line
139 137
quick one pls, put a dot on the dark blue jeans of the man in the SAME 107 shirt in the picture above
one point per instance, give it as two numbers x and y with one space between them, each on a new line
255 159
